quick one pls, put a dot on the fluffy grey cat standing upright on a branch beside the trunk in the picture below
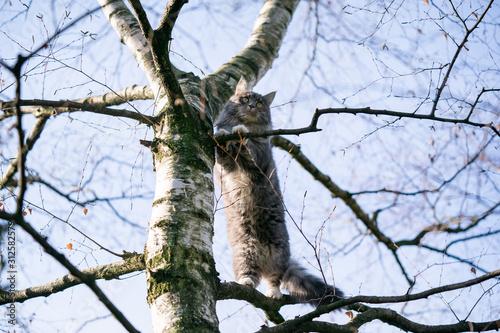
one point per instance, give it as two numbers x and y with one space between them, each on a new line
253 203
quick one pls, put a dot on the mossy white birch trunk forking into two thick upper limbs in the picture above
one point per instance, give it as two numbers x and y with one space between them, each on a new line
180 269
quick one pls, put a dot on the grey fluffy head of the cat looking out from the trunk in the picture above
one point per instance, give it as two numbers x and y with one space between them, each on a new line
248 108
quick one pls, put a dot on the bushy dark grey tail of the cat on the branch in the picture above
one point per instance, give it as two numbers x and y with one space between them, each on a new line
307 288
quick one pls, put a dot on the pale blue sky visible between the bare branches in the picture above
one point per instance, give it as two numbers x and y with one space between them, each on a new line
357 55
